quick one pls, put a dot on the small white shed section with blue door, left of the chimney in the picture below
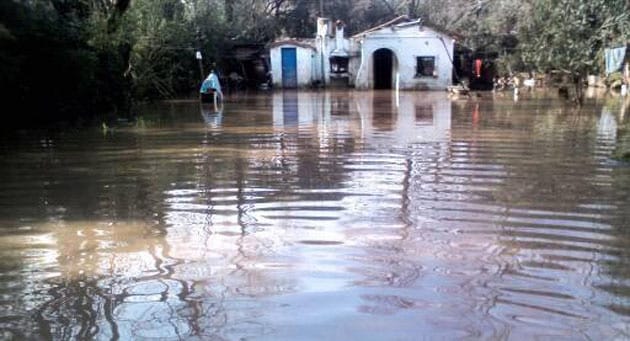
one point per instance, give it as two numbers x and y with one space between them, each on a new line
292 62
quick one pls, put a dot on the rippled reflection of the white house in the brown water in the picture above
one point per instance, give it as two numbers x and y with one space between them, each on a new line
409 117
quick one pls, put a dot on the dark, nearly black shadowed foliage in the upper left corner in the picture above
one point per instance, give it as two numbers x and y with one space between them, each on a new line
52 66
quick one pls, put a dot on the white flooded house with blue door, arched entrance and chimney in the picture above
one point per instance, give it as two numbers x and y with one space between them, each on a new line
401 53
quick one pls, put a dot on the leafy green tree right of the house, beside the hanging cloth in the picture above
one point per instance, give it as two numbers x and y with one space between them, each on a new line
570 36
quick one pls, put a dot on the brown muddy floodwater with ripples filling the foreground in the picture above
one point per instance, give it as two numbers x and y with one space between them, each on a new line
322 216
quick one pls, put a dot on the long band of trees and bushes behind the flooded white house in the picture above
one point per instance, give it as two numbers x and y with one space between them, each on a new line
63 59
